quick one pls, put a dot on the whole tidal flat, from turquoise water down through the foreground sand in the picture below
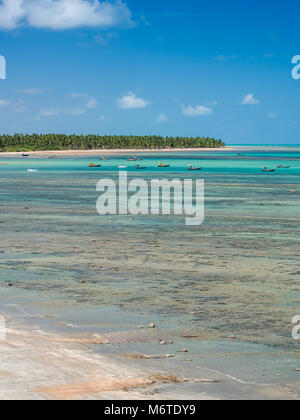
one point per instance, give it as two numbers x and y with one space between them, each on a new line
80 290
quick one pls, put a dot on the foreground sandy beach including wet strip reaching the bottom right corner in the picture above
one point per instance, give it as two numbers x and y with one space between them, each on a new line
40 366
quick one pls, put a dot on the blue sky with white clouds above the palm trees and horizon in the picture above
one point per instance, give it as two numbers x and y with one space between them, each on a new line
192 68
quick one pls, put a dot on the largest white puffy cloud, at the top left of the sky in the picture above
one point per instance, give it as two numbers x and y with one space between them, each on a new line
63 14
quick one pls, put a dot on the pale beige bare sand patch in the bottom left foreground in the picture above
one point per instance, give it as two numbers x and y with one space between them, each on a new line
38 366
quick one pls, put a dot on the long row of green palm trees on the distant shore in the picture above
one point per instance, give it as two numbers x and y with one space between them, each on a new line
41 142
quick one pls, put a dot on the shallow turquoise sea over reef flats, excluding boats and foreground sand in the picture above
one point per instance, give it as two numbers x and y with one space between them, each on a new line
227 290
